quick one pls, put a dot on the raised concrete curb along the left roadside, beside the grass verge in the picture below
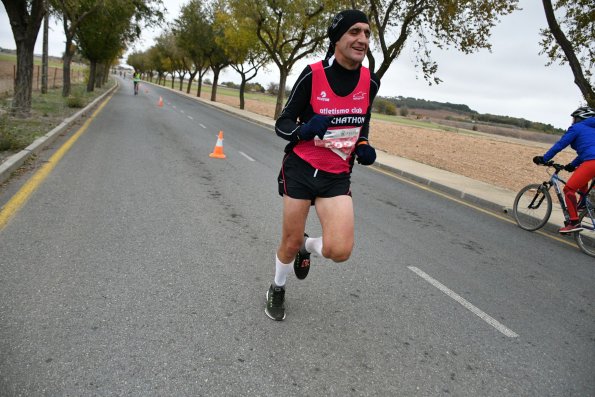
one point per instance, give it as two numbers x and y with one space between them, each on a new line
18 159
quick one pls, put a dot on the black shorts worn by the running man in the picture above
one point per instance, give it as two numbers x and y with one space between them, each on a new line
299 180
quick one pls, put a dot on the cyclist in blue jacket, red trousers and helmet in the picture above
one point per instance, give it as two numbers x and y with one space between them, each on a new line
581 137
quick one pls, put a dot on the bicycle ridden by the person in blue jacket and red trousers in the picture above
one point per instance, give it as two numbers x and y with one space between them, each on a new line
532 208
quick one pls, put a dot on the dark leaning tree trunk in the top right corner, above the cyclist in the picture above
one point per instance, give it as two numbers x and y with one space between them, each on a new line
566 46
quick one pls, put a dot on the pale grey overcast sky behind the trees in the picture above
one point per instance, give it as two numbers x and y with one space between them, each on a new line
512 80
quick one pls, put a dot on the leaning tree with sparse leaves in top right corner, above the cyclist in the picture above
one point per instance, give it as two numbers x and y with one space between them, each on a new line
572 41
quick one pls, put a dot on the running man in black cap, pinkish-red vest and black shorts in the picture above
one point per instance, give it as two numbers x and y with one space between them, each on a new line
326 121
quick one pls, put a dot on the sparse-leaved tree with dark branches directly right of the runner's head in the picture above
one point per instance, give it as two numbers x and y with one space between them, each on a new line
462 24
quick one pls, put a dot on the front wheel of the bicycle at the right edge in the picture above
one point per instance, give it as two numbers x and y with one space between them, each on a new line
532 207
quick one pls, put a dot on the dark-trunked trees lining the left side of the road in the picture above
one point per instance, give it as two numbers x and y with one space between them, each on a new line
99 29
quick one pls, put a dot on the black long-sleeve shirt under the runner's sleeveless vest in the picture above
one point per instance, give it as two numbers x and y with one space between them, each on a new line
298 110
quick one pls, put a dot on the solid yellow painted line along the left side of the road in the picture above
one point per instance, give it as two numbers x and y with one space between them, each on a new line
21 197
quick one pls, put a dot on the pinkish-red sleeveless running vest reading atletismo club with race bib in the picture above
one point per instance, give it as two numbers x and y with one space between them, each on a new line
333 152
